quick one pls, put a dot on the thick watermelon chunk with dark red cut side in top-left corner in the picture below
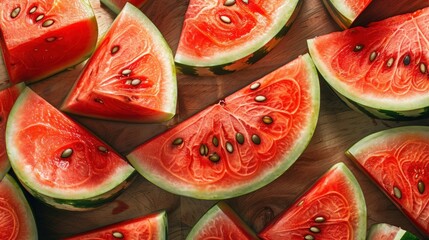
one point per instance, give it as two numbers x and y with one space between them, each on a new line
41 38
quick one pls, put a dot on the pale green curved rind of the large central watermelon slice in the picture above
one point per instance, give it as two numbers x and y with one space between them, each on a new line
301 144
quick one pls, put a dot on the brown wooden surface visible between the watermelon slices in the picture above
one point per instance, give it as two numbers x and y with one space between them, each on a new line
337 129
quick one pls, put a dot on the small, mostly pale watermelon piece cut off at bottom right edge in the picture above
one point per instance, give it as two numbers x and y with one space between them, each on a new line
384 231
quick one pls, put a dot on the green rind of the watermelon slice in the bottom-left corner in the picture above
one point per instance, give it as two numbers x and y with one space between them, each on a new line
19 194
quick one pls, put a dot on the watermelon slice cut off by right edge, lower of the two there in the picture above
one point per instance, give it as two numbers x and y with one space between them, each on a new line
397 161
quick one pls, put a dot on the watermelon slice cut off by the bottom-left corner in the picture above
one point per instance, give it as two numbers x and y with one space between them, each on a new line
16 218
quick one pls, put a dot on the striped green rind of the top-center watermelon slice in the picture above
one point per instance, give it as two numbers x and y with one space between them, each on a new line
247 56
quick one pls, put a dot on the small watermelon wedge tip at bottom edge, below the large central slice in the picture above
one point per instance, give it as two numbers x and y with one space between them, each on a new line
221 222
